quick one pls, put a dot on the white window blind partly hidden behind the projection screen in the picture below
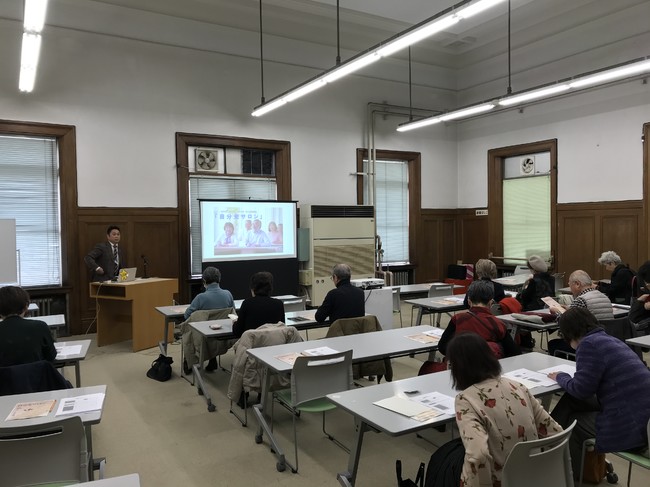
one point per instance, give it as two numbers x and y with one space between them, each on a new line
222 188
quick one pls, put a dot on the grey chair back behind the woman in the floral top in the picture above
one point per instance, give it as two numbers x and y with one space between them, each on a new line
540 463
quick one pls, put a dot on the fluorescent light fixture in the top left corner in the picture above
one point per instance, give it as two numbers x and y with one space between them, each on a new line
34 20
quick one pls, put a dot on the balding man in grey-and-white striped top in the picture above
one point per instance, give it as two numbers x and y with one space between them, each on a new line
585 295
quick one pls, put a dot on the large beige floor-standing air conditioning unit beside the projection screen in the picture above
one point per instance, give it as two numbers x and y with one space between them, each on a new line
337 234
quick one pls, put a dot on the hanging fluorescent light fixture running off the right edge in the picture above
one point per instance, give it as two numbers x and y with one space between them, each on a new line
577 83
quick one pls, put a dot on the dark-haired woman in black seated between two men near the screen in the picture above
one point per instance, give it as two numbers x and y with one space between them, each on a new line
261 308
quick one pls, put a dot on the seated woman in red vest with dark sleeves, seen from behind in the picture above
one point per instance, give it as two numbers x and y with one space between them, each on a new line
478 319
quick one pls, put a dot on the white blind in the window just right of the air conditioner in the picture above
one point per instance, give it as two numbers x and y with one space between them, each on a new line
391 208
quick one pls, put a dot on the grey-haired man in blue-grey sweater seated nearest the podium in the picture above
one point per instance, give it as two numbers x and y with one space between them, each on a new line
213 298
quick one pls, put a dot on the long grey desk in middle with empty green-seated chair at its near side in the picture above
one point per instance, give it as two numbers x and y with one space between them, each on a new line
365 348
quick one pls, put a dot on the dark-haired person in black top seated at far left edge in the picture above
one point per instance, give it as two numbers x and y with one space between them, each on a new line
22 341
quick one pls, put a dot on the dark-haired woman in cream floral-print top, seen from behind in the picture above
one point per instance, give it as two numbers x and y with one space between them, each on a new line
493 413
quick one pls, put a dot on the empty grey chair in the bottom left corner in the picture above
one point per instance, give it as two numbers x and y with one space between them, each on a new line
45 454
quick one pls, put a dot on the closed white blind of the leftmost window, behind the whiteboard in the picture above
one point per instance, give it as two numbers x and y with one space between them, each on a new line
29 193
